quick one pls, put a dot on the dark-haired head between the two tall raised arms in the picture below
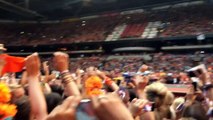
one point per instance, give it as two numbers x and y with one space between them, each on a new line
52 100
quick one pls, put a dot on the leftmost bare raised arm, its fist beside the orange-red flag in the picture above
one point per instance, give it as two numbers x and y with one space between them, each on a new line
37 100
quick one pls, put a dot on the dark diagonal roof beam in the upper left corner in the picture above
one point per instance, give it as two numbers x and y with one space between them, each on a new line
19 10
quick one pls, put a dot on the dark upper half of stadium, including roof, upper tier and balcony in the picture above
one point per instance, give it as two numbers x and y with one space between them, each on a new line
166 26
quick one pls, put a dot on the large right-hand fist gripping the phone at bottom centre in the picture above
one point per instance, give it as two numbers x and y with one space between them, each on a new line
110 107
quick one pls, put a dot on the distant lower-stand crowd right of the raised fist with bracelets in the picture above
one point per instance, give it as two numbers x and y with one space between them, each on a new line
131 63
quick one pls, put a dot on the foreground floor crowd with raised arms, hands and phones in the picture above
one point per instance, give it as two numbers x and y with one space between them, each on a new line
57 92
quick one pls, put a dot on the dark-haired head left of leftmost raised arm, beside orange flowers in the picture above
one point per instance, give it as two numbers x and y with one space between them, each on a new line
23 108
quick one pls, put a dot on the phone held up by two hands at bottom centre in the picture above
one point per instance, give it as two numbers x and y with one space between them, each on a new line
84 111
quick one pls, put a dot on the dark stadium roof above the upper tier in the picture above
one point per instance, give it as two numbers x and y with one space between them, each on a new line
60 9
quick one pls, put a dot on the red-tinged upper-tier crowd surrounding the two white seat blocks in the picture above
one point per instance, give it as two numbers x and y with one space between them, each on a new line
192 20
